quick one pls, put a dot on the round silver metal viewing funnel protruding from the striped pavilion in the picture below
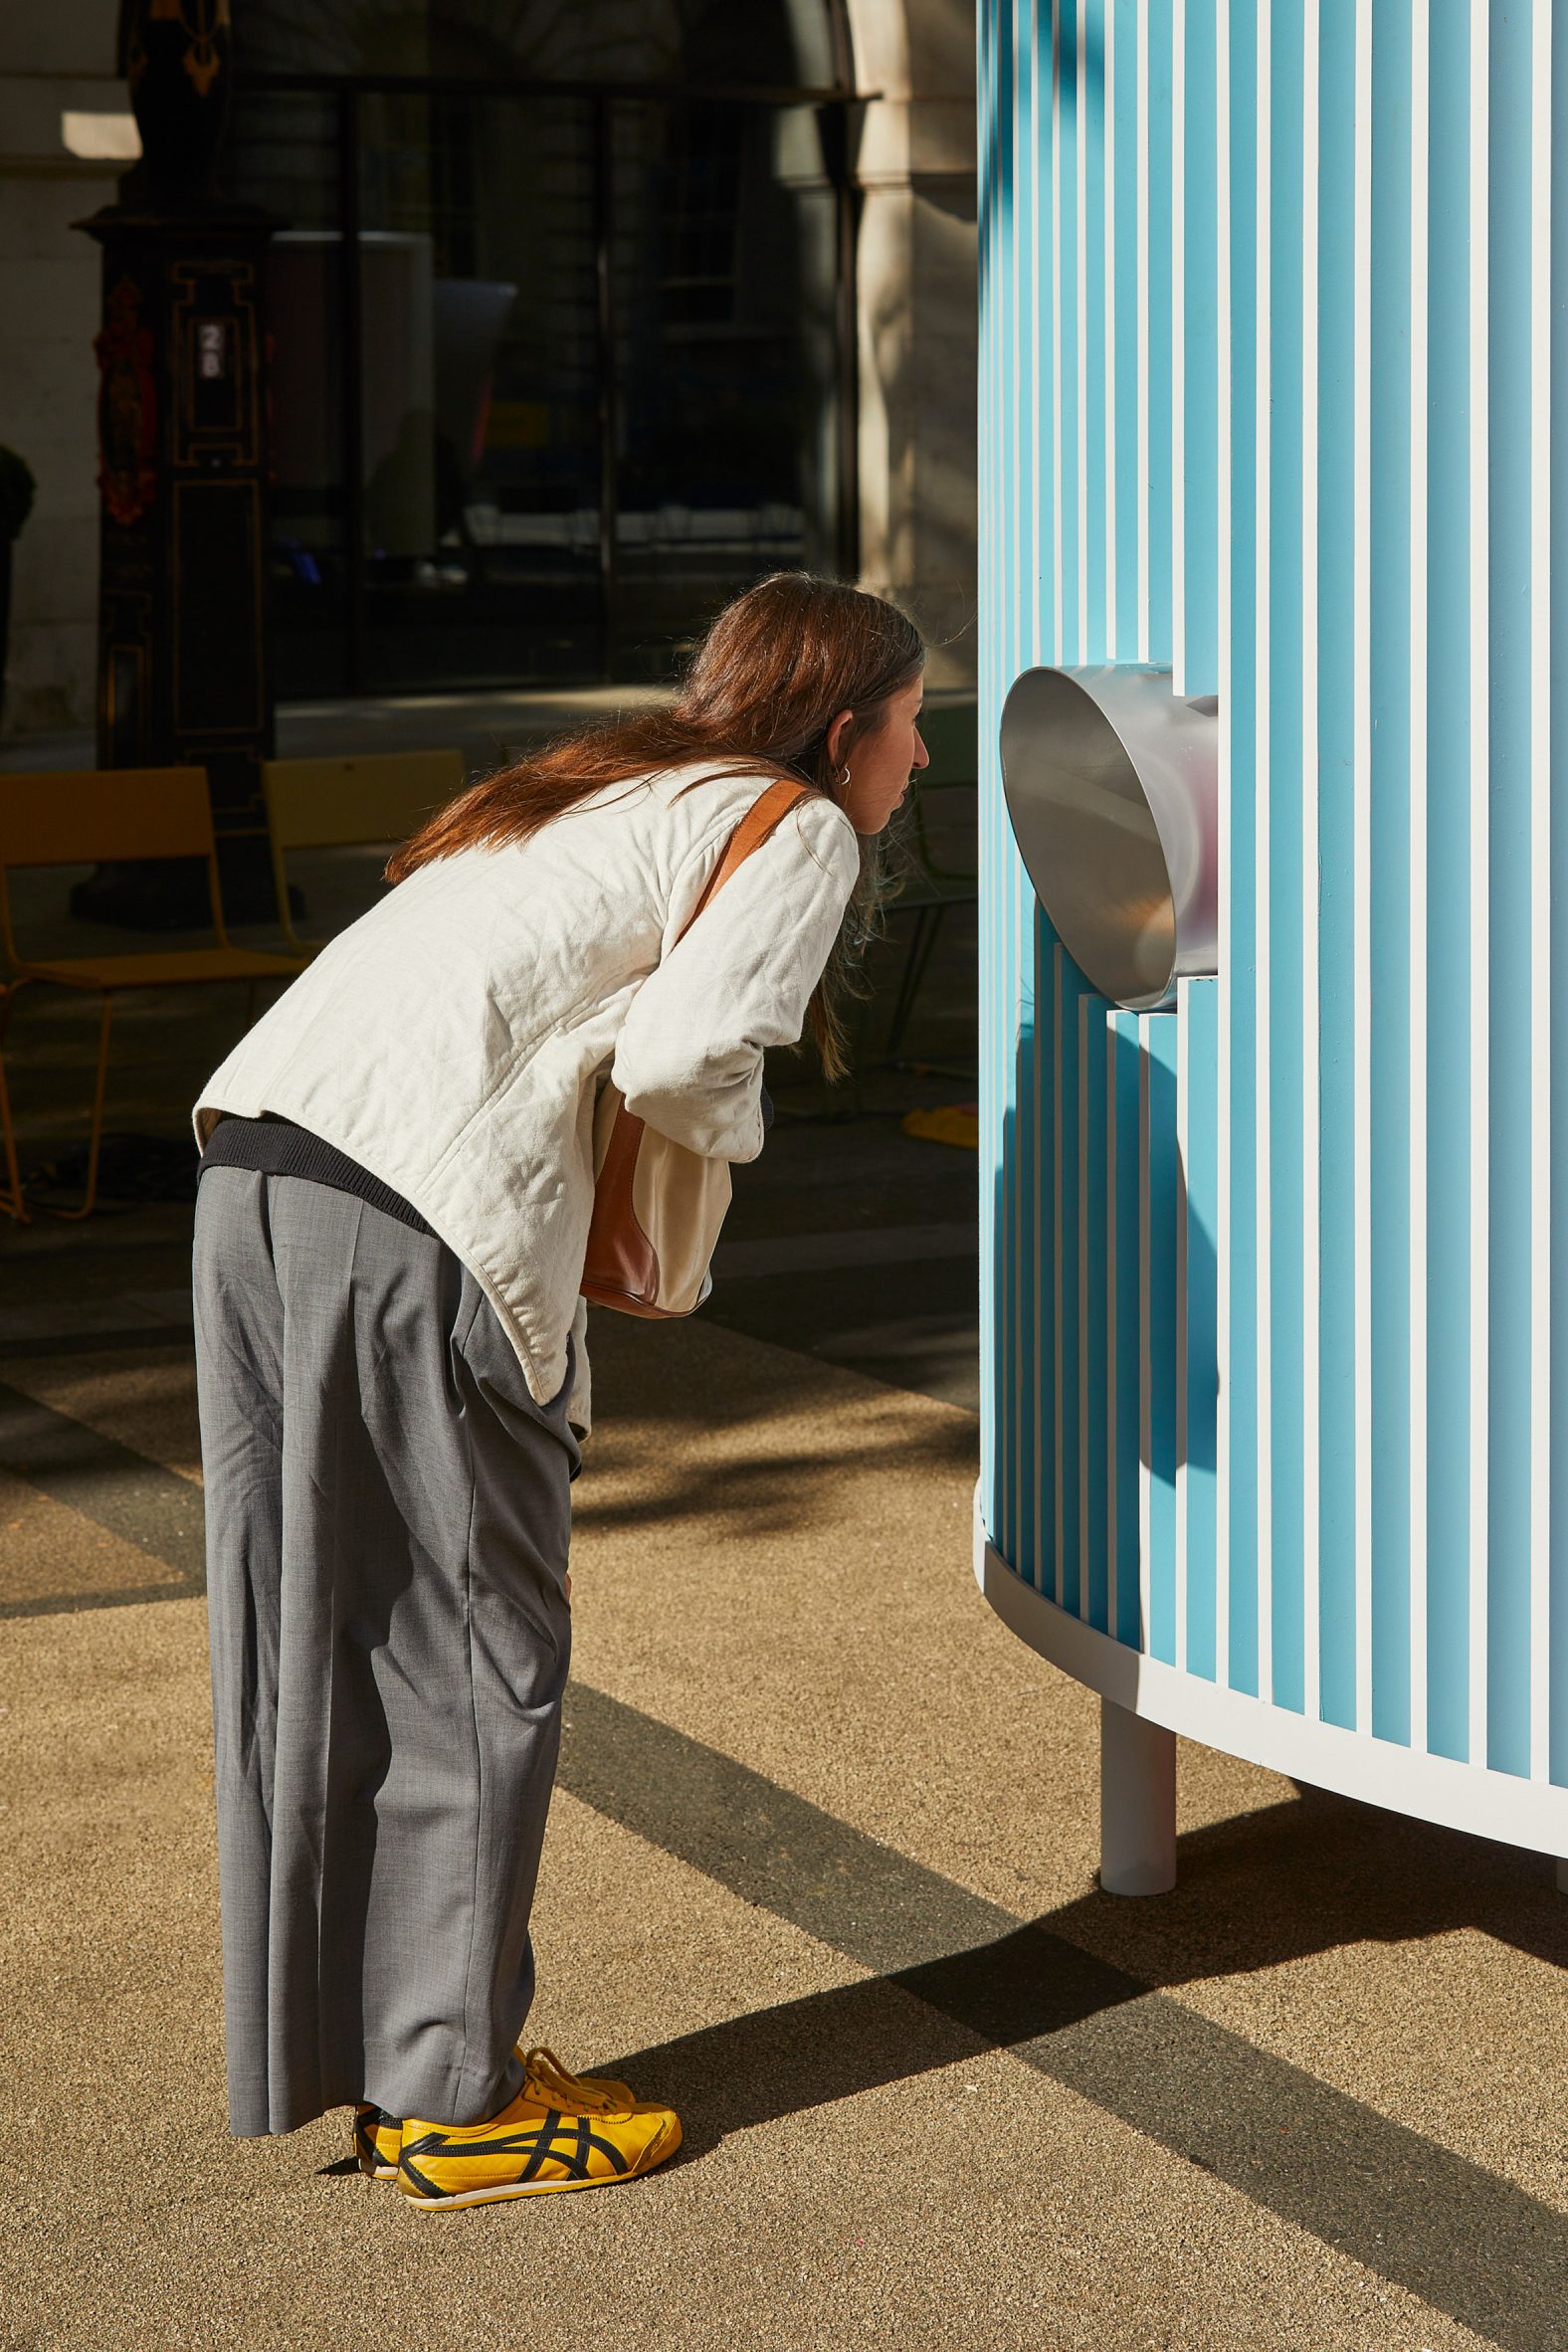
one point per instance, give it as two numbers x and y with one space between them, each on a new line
1113 787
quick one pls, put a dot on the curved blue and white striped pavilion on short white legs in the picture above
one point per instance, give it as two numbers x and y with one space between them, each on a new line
1275 1356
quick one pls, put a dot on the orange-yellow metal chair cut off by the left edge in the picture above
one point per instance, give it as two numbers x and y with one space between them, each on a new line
112 815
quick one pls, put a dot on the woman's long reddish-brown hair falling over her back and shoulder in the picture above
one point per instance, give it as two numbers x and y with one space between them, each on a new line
760 695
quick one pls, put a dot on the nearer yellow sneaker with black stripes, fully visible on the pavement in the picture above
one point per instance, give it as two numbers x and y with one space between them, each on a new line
563 2132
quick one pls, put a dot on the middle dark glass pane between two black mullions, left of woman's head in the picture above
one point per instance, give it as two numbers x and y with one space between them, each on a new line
481 323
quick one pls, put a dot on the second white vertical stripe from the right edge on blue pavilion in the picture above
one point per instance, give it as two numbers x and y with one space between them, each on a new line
1480 869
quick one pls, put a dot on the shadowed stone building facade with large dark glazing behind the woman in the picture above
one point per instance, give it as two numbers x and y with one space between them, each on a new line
579 314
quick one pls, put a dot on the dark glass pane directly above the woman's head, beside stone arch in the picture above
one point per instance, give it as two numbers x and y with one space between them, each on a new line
728 380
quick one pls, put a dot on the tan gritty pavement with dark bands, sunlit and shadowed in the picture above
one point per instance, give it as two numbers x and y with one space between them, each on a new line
819 1871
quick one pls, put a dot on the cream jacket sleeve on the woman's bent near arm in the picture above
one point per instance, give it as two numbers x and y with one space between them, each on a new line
690 1055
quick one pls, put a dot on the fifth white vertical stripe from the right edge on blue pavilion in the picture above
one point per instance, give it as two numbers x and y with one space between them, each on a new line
1311 874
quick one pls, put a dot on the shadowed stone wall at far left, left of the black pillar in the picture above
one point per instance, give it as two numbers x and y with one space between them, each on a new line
53 58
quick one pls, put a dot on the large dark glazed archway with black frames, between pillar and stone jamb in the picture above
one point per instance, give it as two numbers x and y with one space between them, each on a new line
563 328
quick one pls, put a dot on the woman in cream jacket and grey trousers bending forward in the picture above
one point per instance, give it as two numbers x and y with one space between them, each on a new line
389 1248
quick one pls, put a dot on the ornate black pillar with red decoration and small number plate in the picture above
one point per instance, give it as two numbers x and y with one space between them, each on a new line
182 467
